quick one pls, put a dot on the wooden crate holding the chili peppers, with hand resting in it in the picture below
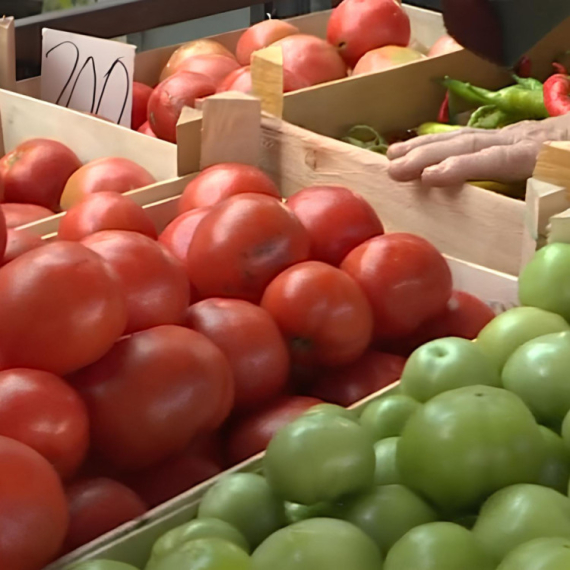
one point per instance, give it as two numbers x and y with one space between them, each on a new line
466 222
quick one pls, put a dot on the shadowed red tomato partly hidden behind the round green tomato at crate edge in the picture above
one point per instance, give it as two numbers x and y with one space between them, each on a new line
251 434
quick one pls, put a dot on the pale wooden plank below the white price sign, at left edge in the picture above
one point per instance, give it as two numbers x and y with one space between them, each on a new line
91 138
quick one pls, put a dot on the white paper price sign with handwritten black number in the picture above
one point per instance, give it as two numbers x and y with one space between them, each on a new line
88 74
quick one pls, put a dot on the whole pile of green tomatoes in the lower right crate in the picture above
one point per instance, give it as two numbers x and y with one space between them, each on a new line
464 466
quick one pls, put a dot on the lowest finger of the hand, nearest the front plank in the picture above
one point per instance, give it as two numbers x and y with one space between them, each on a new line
510 163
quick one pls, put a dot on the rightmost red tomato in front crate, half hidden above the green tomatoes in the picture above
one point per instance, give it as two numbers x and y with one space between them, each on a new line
464 316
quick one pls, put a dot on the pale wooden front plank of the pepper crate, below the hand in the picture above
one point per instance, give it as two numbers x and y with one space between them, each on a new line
465 222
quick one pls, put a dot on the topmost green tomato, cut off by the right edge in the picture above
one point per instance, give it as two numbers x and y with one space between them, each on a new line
545 281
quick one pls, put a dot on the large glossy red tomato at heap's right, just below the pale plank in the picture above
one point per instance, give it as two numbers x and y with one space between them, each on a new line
405 278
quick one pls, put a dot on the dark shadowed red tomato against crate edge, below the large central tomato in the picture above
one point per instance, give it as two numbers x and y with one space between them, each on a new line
174 476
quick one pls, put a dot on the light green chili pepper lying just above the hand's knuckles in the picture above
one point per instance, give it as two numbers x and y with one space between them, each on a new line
513 100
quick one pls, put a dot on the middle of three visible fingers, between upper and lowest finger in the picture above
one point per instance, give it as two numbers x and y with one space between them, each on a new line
413 164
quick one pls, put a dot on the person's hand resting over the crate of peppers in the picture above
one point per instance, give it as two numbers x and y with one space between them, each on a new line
449 159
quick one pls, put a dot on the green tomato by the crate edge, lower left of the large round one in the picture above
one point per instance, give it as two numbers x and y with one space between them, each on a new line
246 501
